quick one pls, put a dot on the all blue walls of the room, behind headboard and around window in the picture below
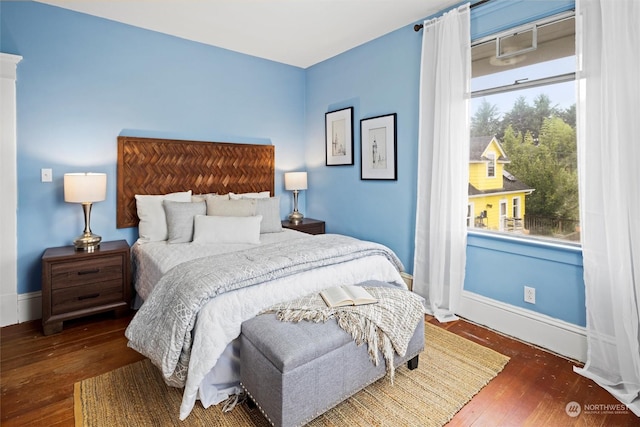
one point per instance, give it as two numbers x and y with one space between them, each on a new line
85 80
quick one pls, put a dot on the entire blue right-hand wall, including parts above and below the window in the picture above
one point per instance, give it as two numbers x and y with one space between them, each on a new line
382 77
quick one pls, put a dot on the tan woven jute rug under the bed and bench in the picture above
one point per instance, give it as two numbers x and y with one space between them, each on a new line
451 371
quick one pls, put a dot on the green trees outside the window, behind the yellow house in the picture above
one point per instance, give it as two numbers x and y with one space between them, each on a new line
540 141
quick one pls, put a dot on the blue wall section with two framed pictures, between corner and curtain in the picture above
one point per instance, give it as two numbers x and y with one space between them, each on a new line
380 77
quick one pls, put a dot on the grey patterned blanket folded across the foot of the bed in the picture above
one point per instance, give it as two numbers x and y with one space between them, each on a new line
162 328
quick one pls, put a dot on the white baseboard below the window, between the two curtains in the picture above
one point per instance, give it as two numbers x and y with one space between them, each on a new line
556 335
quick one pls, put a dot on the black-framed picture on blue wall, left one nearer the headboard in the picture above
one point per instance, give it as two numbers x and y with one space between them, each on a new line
339 137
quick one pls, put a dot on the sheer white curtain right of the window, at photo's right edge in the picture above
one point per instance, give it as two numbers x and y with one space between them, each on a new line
608 111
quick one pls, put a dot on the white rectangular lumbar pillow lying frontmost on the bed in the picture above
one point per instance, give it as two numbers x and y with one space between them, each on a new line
227 229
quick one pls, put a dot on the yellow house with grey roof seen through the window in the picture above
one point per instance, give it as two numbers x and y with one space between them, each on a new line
496 198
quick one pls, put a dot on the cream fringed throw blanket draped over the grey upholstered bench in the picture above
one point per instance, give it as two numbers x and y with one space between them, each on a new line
387 325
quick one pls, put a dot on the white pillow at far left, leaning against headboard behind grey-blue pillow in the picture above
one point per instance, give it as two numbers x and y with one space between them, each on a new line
153 223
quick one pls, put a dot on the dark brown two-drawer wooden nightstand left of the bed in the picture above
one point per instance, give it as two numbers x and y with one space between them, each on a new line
78 283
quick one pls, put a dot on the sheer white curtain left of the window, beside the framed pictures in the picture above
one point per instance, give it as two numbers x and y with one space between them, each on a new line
443 162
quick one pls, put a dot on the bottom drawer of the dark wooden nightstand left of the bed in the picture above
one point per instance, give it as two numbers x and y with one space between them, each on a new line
86 296
